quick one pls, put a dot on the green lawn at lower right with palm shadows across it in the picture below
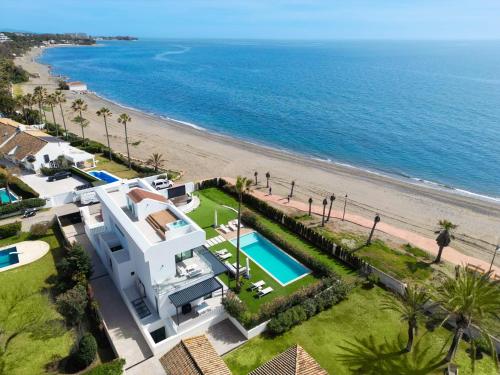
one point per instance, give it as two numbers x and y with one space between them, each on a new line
357 337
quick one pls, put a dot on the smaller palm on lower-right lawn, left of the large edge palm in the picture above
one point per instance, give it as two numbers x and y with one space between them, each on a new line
410 307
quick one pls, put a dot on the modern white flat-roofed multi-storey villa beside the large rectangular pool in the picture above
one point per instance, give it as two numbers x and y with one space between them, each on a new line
154 253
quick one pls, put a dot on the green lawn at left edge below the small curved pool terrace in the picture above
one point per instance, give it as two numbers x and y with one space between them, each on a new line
30 352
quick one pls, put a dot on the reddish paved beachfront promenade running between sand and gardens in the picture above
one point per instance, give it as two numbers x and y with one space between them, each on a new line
428 244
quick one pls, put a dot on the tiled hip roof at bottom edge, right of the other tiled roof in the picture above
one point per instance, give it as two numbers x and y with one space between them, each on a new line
293 361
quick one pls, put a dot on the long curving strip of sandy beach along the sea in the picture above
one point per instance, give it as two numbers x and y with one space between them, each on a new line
200 154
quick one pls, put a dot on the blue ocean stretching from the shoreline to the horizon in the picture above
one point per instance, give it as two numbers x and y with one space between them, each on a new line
426 111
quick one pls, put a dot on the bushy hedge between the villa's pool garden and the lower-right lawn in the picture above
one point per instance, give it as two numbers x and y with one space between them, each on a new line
286 320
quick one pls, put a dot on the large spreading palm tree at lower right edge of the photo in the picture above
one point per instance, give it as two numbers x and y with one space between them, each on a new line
470 298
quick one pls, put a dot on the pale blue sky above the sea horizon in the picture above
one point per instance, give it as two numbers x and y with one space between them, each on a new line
269 19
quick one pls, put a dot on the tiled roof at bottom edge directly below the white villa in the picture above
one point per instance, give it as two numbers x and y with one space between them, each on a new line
194 356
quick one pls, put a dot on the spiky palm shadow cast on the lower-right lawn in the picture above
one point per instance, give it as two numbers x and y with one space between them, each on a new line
373 357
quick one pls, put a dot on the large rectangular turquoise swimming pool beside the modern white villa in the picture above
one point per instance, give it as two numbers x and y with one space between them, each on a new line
278 264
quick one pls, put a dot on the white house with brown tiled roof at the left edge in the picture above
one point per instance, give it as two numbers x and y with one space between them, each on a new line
33 149
